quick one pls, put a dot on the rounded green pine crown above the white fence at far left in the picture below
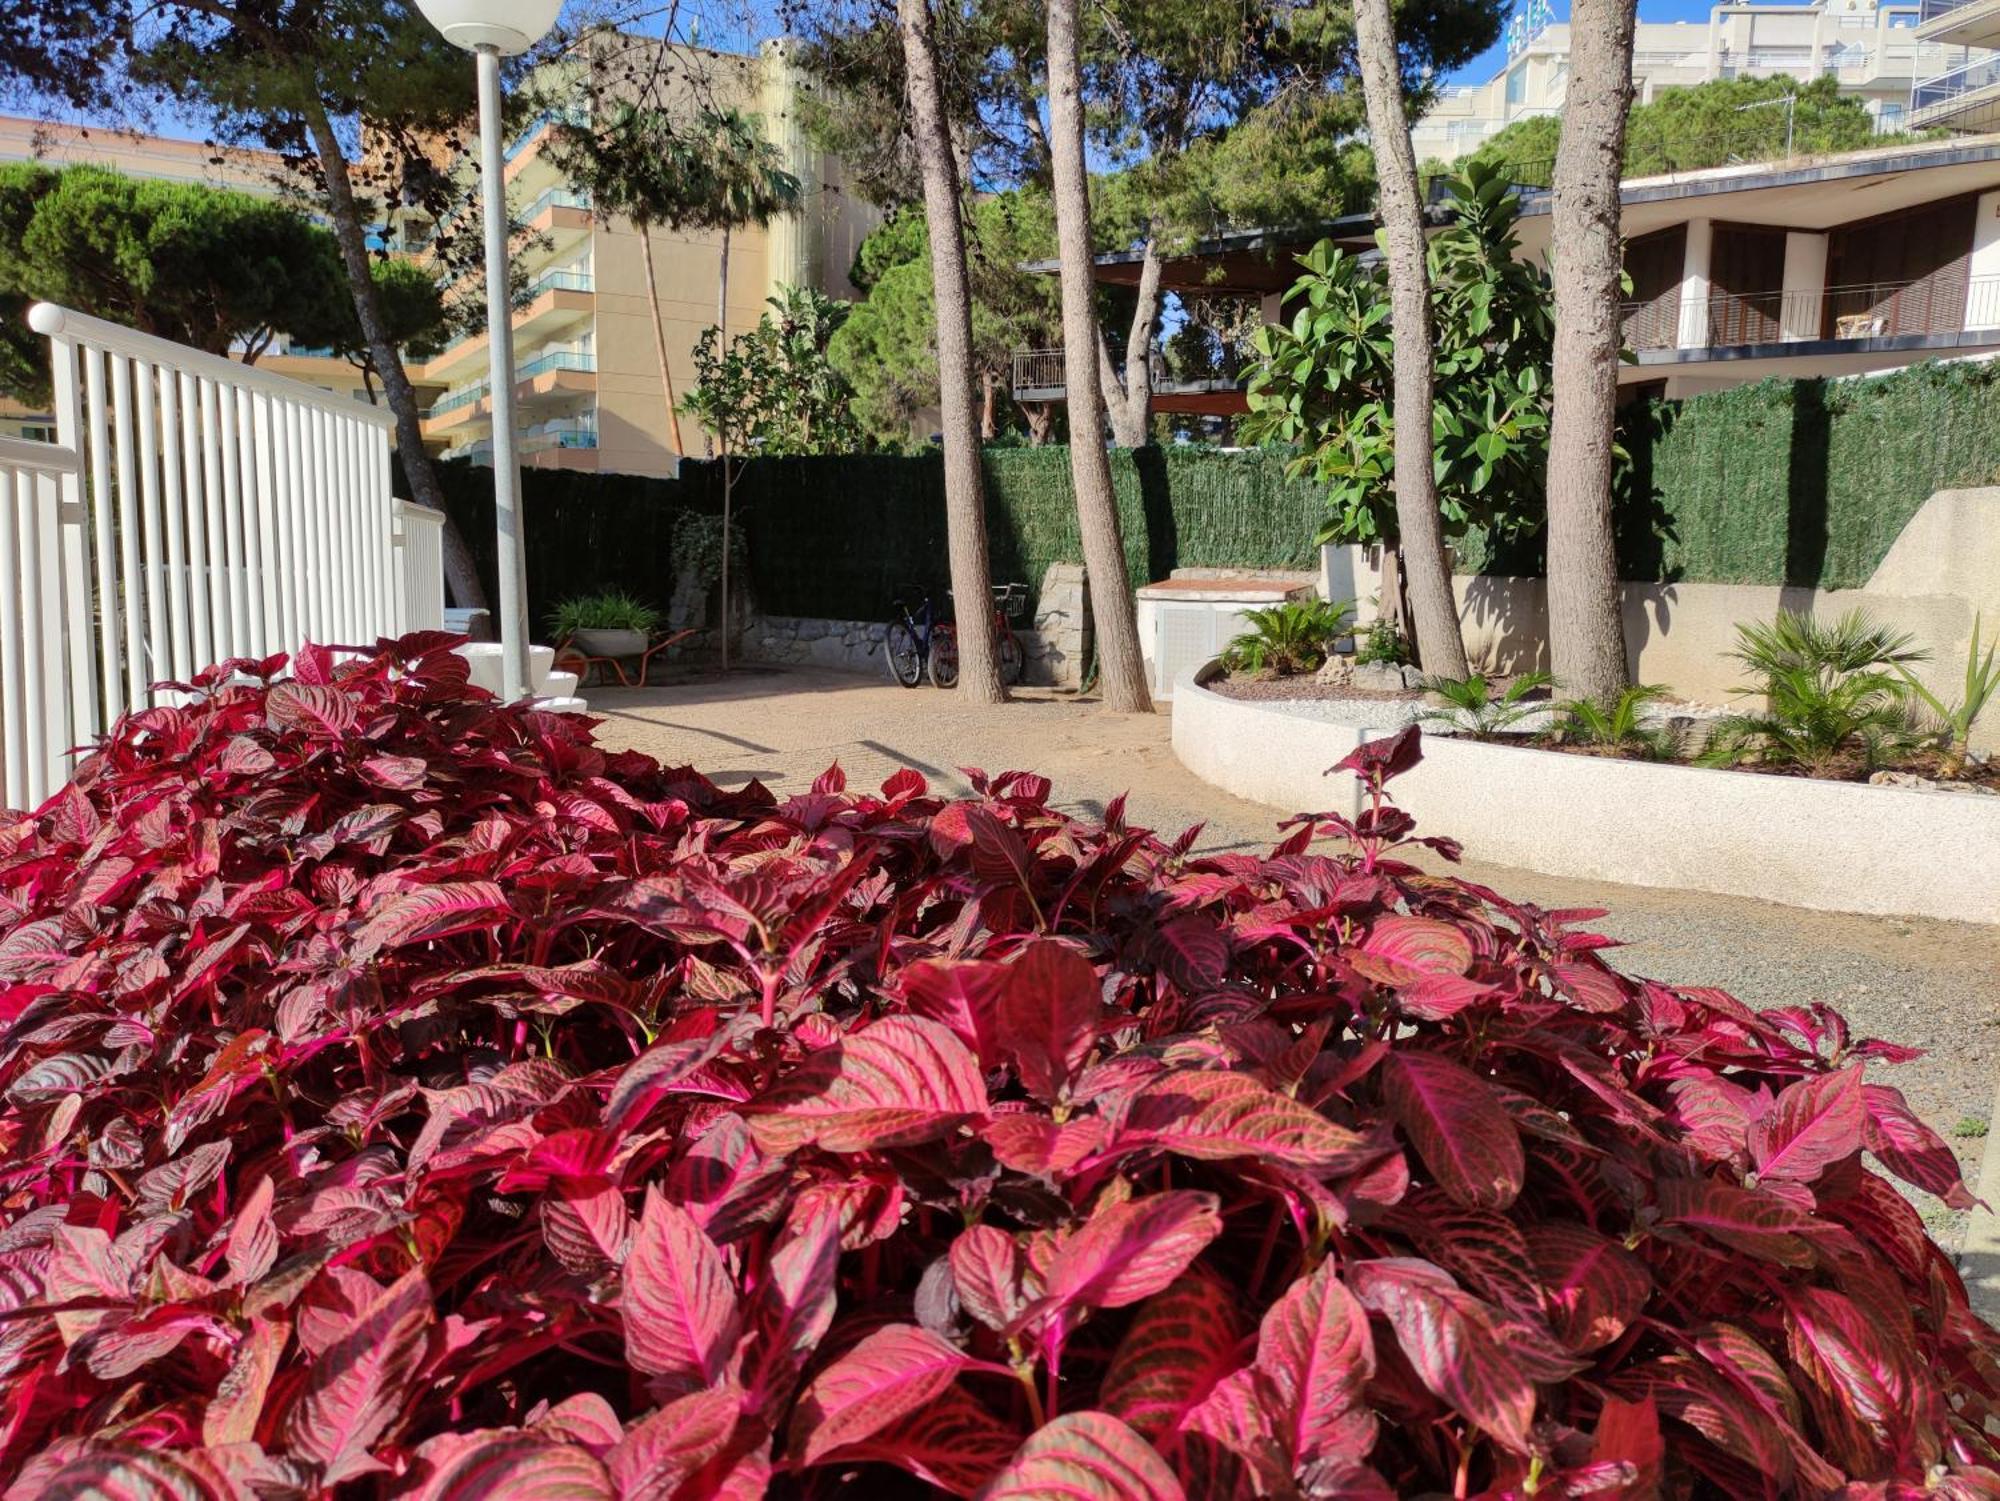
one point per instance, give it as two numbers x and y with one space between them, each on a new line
197 265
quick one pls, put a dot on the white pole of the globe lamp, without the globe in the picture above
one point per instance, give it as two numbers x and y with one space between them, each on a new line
501 385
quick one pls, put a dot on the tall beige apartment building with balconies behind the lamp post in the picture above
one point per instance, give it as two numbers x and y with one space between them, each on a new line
589 389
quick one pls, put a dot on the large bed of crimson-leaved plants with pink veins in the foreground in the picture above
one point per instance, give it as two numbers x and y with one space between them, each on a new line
407 1098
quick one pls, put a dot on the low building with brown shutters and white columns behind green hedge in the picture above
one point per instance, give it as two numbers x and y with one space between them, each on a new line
1825 267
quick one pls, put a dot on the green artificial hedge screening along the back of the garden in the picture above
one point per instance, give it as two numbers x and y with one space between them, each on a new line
1779 483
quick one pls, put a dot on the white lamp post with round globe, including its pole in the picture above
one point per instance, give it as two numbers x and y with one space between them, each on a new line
495 29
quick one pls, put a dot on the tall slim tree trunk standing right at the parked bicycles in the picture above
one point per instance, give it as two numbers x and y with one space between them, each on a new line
965 485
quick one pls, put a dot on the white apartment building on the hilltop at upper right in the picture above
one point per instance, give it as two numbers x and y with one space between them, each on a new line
1881 55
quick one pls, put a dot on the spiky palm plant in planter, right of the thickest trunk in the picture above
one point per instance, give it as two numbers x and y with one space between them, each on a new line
1829 693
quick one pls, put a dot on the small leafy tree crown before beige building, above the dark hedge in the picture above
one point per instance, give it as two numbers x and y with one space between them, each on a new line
775 391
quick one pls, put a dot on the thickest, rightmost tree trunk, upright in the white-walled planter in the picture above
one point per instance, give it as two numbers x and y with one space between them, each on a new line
1585 625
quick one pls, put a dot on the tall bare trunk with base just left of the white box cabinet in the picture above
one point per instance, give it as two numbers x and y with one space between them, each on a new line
1121 669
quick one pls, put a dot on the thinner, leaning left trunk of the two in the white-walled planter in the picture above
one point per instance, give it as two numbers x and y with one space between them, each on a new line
1419 523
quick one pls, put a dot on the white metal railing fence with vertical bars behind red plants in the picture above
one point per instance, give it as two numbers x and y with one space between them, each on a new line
191 509
